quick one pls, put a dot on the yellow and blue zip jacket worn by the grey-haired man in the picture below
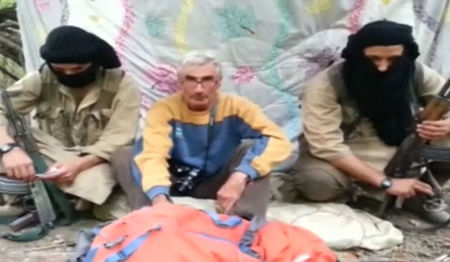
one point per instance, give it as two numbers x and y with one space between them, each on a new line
207 140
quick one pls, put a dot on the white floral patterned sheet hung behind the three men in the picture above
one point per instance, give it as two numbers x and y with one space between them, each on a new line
270 49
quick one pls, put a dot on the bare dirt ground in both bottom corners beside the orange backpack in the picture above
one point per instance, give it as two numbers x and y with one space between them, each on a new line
418 246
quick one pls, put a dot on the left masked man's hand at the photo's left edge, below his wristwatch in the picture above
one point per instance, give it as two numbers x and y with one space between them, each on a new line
18 165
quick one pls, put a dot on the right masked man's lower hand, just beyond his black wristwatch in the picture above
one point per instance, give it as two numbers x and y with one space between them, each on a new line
409 187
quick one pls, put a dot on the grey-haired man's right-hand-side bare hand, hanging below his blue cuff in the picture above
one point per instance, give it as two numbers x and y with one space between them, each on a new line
231 191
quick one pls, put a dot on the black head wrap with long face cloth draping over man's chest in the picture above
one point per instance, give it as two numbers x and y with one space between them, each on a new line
383 97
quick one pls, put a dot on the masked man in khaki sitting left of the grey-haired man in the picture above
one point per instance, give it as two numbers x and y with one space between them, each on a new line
85 109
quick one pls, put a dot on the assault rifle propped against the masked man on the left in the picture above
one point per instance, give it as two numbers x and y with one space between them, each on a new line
44 207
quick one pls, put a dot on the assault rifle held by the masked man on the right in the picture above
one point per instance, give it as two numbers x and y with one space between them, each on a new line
415 153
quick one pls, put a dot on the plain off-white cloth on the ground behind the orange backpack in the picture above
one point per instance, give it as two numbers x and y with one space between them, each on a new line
337 224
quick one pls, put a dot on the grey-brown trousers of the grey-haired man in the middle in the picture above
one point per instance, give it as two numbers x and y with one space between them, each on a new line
254 200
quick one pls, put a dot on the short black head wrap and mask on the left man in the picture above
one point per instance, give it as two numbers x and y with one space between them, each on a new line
73 45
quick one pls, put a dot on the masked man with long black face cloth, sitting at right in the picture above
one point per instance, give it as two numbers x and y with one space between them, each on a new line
358 112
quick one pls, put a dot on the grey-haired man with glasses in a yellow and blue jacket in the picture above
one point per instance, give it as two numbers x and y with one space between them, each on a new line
192 145
